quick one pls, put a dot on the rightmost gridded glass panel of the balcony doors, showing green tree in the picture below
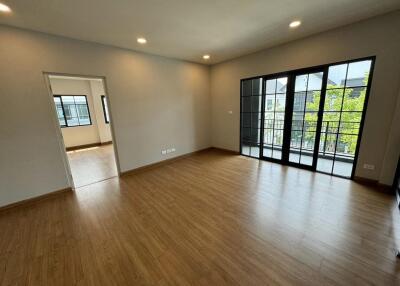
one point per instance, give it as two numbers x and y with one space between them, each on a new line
345 103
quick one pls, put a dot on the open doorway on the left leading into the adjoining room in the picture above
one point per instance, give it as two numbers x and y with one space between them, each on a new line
83 117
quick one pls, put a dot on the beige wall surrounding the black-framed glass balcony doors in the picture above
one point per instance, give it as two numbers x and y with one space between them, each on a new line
378 36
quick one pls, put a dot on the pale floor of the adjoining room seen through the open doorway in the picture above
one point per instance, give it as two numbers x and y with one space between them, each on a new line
92 165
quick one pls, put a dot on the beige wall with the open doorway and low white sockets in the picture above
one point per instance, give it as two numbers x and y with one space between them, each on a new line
155 103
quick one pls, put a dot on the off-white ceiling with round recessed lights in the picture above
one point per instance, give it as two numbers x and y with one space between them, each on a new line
187 29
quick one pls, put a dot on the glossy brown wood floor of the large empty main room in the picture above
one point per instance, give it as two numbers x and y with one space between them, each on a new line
209 219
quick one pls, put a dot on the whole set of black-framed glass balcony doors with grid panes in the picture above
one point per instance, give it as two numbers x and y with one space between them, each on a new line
310 118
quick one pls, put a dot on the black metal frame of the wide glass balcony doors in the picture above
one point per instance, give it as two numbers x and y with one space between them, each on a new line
292 73
